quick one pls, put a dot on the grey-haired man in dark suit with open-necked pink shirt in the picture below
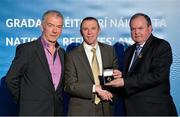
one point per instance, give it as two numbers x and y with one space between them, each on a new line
35 77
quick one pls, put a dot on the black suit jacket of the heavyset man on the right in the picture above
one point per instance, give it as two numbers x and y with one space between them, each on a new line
147 85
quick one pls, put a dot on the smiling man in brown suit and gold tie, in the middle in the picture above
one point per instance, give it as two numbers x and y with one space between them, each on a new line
79 80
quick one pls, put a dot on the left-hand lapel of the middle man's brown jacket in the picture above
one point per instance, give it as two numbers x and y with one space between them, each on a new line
82 56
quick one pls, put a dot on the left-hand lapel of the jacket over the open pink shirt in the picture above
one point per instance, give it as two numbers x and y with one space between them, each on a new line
42 58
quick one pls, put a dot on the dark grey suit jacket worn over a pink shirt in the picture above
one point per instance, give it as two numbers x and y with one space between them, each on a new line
29 80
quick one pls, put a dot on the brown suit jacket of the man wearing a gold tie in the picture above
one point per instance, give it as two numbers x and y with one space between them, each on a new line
79 79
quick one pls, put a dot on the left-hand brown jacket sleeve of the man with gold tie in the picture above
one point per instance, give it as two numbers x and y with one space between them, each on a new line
73 84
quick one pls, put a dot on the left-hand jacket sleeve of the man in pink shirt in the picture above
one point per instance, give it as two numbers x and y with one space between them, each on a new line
16 71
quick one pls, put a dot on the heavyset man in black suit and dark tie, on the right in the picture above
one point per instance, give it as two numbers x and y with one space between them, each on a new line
146 77
